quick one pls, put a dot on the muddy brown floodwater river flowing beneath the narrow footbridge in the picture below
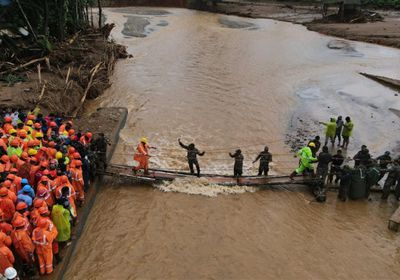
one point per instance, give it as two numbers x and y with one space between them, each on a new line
225 83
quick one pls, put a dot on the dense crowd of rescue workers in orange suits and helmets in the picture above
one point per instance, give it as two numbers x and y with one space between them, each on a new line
44 173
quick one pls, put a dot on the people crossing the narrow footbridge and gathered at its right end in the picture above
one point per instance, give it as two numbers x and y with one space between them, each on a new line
331 168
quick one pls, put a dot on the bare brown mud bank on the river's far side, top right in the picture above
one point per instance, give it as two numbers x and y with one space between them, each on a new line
386 32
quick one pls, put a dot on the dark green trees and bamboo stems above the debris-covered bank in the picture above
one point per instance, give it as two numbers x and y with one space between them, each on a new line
34 26
